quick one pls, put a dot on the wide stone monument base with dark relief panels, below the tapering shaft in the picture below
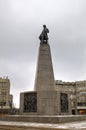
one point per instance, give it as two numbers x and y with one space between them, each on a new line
43 103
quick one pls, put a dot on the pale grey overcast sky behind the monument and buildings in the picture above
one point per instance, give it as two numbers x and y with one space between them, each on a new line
20 26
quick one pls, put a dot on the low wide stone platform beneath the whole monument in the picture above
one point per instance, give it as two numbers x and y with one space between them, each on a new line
43 119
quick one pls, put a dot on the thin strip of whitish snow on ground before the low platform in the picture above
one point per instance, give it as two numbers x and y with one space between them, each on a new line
72 125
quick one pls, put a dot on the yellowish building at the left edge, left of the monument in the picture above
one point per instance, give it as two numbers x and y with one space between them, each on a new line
5 97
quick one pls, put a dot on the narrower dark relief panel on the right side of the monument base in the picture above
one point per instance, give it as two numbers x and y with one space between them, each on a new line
64 102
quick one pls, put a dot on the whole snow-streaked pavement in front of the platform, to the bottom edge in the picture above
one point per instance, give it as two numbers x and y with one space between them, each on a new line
9 125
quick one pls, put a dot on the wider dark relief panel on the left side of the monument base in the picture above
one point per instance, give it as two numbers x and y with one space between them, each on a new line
30 102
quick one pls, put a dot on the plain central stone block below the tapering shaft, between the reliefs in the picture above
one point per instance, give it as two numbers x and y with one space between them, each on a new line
48 102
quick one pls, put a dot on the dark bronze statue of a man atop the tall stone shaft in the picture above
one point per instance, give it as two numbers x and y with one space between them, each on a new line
43 36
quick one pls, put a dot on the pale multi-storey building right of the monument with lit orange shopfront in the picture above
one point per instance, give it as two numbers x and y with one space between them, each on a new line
76 95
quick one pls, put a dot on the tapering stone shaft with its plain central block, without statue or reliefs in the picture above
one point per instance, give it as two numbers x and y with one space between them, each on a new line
47 97
